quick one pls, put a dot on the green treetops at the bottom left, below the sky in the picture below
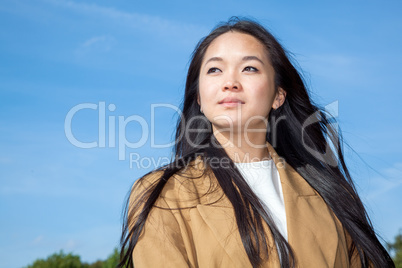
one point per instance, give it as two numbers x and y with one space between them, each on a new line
63 260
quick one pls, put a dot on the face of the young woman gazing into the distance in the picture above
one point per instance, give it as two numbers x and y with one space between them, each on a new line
236 83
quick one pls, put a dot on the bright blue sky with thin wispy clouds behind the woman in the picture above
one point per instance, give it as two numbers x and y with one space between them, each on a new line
57 54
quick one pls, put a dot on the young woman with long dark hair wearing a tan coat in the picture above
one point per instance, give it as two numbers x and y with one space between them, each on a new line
230 199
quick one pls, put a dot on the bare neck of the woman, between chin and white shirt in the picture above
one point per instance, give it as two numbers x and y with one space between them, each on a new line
244 146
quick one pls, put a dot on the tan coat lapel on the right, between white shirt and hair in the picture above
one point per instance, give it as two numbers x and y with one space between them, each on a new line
314 232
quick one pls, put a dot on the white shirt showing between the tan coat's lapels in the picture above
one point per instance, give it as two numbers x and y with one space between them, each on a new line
263 178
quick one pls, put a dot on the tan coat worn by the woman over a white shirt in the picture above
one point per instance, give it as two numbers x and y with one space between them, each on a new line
203 232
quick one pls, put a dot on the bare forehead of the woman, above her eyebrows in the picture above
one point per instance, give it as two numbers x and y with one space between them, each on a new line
232 43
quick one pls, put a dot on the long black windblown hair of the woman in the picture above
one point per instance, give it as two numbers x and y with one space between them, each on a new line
299 131
